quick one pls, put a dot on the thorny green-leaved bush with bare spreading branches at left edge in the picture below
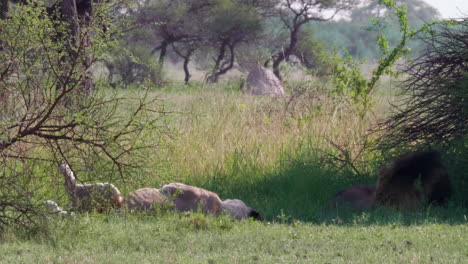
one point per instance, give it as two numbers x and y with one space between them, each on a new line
47 117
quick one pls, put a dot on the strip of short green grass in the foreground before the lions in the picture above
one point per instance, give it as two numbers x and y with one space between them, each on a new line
197 239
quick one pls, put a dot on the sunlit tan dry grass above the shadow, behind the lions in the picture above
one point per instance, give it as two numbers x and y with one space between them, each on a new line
212 124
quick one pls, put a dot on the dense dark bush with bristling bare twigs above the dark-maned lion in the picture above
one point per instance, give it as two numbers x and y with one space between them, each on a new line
435 109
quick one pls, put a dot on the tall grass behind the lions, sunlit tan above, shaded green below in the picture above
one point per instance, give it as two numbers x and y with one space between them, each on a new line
264 149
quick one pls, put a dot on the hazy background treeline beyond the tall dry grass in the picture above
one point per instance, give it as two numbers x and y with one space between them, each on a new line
217 36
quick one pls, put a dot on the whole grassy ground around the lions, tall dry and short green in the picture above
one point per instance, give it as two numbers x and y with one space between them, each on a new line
281 156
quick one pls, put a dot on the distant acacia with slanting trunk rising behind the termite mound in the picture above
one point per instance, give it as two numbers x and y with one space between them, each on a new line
294 14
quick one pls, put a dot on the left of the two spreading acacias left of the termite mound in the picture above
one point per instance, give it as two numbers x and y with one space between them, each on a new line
169 26
